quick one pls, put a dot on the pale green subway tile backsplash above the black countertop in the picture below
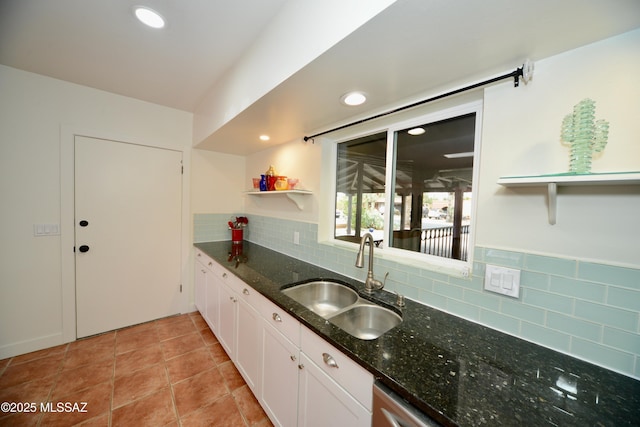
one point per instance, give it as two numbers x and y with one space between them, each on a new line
586 309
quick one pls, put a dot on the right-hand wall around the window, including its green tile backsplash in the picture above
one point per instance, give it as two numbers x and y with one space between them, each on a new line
580 297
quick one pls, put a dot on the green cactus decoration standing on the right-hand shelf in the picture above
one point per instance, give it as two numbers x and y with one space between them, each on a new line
585 135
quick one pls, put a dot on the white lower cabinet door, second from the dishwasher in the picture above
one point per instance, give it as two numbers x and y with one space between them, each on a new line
279 391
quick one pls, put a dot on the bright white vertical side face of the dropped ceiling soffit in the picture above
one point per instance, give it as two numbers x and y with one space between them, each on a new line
290 42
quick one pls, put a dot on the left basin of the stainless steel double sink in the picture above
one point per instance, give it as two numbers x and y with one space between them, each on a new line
323 297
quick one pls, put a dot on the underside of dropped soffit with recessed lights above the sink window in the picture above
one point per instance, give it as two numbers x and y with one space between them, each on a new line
415 47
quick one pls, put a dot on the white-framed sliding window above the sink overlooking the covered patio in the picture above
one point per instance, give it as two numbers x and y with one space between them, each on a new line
411 186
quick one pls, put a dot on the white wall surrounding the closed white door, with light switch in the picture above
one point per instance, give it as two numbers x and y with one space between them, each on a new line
36 114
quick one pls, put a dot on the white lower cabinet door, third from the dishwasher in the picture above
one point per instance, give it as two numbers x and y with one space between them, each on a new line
249 330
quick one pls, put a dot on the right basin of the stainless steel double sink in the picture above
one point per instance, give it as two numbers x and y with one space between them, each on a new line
366 321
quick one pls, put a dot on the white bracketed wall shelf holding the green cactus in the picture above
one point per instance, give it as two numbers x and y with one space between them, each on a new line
567 179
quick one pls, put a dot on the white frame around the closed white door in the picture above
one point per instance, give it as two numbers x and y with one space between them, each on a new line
67 221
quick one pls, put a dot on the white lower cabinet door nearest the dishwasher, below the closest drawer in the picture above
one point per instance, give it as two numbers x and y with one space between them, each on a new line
322 402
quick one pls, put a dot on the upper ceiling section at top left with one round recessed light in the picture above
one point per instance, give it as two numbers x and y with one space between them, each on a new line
100 44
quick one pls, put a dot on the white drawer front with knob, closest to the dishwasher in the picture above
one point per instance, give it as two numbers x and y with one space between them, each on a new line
356 380
